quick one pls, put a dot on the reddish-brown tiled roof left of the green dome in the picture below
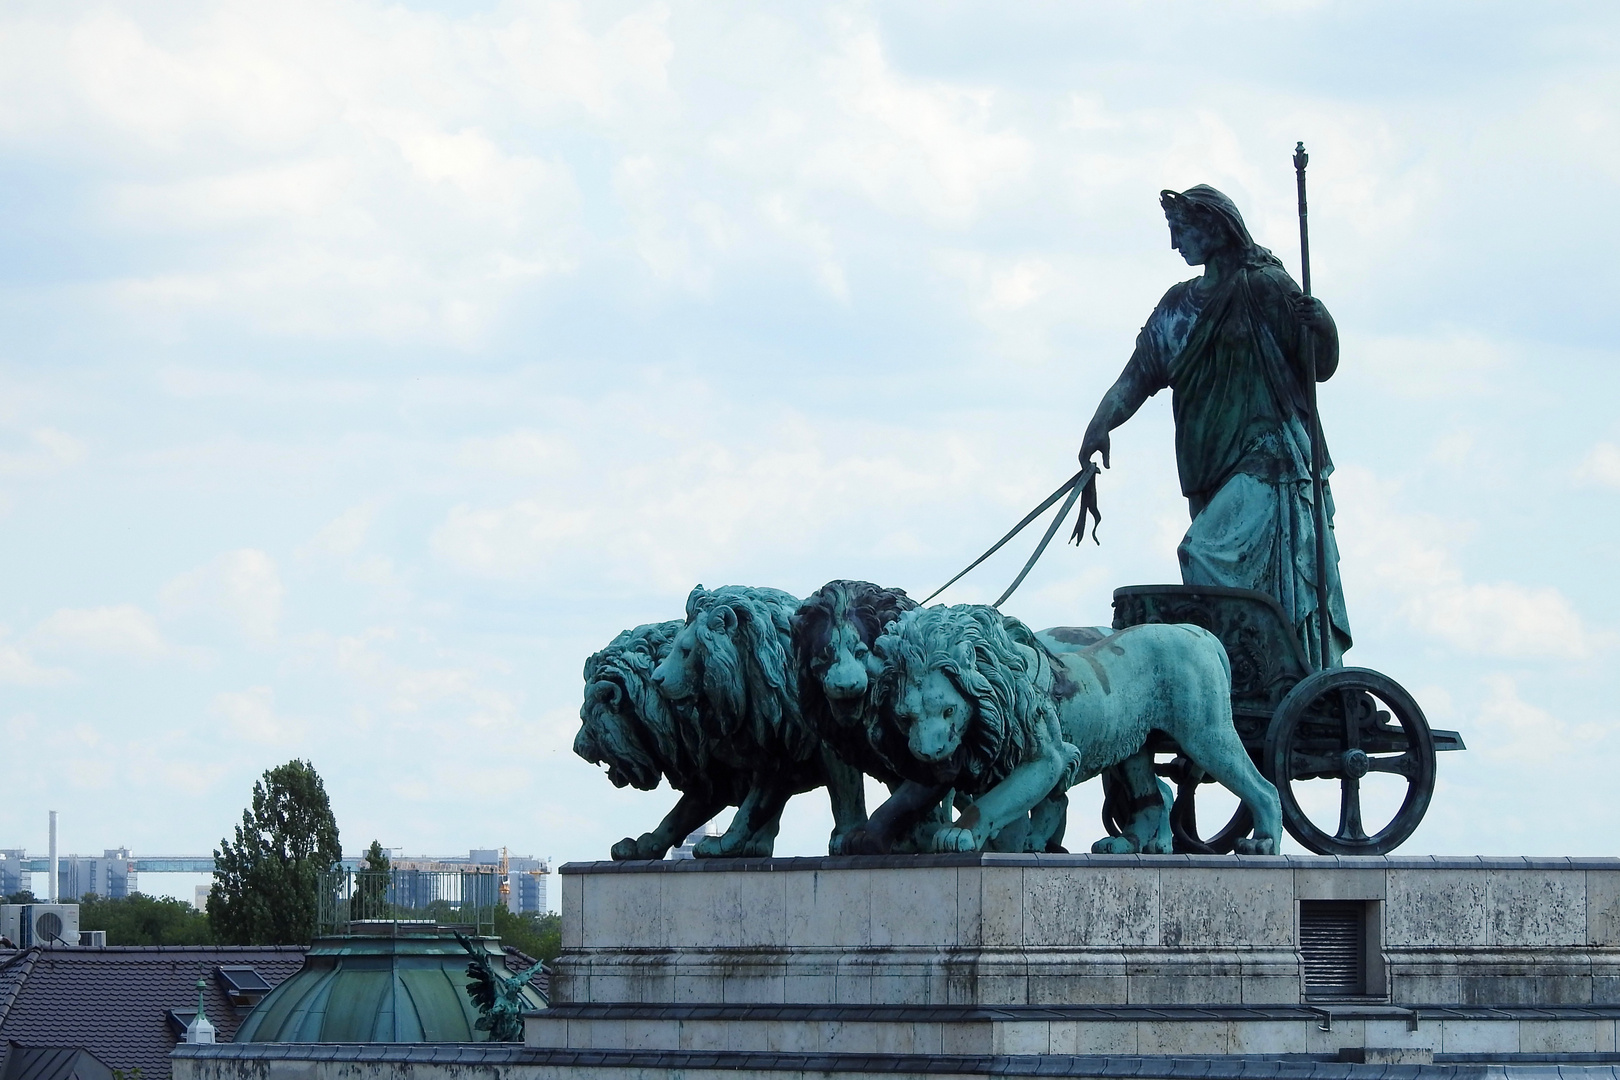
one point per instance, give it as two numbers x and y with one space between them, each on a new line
114 1001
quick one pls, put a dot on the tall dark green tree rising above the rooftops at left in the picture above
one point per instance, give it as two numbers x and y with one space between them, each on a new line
266 883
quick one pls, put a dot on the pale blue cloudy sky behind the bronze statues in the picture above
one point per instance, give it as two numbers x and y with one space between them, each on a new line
365 367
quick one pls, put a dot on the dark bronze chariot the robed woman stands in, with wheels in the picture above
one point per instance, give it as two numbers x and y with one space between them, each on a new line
1300 723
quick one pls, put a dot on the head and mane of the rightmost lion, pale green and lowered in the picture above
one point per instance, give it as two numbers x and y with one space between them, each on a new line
971 694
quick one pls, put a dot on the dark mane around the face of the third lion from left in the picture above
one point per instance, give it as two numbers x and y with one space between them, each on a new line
871 608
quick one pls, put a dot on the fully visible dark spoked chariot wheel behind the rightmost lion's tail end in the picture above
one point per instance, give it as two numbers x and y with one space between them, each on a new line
1339 726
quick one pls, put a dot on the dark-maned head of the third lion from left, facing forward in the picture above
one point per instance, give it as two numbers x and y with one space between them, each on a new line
833 636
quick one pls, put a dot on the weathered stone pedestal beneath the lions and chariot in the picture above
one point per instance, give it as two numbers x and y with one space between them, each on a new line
1088 955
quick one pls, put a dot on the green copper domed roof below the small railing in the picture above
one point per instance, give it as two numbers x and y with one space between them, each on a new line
393 985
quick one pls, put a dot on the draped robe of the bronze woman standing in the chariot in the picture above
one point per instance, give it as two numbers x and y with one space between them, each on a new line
1237 368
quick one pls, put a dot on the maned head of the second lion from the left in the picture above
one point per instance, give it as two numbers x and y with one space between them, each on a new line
731 660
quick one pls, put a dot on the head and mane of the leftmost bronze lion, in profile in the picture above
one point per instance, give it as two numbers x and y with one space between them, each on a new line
625 723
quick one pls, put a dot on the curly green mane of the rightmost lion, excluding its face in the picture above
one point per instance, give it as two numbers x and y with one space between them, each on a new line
997 665
